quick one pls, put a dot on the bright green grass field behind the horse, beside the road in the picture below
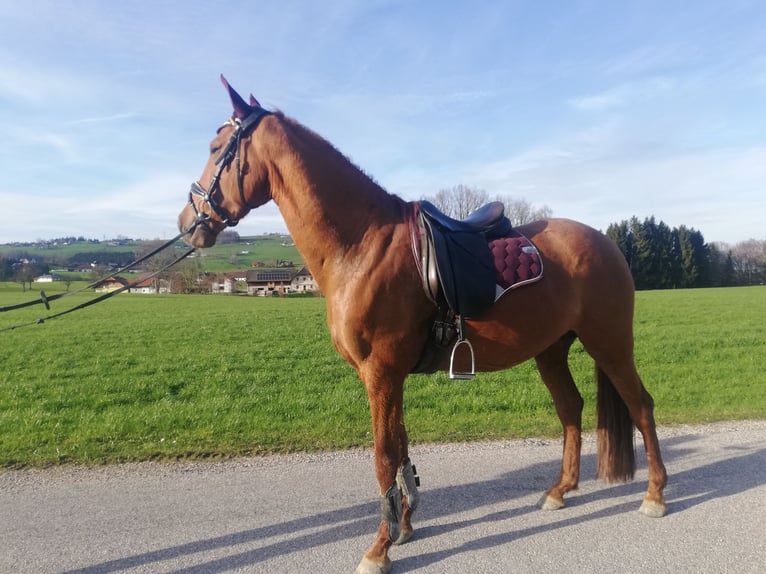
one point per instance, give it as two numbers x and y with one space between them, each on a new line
172 376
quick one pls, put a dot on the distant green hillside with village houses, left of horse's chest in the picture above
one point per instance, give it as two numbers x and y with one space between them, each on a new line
264 265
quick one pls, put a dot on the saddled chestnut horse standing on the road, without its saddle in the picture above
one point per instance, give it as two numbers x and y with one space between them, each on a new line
357 241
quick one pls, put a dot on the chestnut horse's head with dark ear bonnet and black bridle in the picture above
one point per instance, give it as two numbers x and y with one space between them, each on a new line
233 181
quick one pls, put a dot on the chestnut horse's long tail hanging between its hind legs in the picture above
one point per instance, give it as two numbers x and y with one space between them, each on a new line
616 453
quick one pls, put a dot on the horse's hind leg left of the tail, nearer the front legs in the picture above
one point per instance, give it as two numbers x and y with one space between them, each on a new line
554 370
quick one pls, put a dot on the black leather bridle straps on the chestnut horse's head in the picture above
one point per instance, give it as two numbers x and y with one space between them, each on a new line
230 152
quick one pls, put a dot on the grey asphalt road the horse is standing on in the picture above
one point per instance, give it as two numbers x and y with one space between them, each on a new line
317 513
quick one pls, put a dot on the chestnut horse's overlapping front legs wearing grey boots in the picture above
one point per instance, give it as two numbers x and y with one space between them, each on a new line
394 471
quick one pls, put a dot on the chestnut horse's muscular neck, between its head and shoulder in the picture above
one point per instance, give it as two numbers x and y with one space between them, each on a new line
330 207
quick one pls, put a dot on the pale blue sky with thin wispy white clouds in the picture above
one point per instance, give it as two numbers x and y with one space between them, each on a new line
600 110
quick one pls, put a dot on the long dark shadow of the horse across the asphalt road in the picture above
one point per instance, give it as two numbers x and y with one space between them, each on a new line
730 476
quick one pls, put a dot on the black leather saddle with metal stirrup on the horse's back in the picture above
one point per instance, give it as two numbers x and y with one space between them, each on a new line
458 276
